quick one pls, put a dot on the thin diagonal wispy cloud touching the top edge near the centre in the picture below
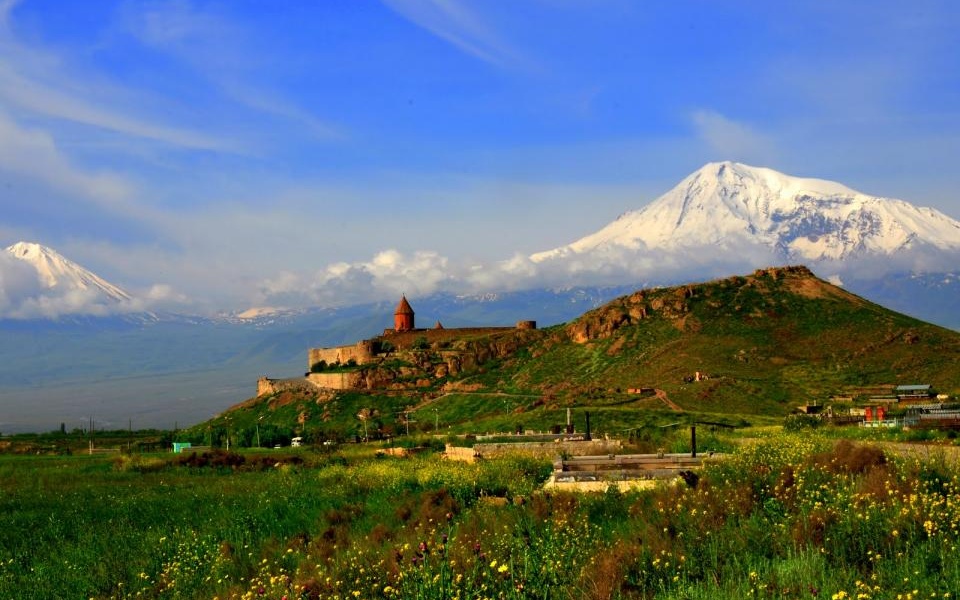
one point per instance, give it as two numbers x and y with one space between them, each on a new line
453 22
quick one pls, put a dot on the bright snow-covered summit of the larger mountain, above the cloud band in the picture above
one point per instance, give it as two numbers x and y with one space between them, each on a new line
730 205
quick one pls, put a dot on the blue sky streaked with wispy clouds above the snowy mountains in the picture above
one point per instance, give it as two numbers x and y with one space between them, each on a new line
241 153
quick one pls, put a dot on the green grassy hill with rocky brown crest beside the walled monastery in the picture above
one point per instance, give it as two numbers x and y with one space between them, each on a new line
762 344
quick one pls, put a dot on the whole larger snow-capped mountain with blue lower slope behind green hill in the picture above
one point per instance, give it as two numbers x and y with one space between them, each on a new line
731 218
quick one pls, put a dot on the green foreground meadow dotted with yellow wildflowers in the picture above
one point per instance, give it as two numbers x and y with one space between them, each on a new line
784 516
